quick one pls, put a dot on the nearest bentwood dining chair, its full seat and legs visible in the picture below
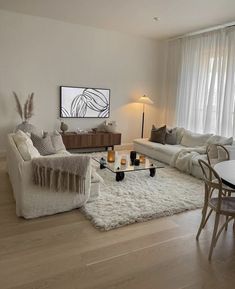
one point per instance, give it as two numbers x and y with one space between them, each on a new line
215 200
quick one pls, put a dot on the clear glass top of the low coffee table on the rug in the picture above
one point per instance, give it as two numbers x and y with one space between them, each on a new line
116 166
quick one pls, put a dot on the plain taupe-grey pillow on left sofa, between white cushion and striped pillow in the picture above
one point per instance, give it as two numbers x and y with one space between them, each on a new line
43 144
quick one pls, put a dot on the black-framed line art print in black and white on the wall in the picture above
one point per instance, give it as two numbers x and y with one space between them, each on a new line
84 102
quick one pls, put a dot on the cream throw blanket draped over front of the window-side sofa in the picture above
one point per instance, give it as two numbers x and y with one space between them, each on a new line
183 160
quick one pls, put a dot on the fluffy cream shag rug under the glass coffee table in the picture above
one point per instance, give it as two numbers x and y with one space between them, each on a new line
139 197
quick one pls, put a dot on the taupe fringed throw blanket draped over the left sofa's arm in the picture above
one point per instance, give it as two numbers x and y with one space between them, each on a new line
67 173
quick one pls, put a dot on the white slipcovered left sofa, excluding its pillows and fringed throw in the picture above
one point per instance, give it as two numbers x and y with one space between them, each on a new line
33 201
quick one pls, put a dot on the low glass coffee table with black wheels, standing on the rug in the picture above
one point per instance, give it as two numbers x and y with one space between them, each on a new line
120 170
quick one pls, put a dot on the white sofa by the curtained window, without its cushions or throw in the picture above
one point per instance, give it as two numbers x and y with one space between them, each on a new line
165 153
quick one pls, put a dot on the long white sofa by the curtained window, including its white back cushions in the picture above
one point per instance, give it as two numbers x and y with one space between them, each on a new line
166 152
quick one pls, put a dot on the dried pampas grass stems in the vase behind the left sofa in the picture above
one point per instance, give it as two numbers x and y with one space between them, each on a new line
28 107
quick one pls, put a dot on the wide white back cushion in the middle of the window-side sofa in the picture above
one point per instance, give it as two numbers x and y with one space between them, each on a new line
190 139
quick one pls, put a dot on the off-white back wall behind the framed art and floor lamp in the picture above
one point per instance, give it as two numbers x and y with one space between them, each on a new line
38 55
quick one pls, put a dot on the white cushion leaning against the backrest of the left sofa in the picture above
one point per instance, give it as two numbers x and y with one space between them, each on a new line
25 146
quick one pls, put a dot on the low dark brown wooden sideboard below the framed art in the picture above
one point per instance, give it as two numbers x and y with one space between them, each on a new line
73 140
